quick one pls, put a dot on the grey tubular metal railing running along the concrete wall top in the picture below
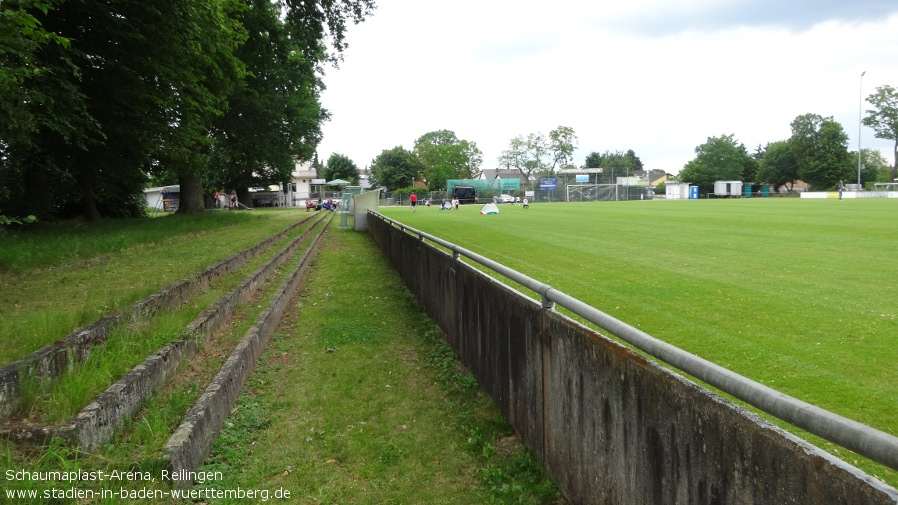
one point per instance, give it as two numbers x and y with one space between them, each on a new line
860 438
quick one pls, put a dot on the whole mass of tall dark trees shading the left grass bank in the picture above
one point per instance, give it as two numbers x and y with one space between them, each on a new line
99 99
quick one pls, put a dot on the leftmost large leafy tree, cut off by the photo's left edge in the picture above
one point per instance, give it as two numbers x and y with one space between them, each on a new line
41 108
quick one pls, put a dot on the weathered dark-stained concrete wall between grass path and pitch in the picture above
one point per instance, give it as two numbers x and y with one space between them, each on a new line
610 426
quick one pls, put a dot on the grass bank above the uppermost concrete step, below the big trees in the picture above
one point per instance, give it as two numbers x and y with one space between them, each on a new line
59 277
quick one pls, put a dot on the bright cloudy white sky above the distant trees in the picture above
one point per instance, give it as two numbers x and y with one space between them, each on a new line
656 76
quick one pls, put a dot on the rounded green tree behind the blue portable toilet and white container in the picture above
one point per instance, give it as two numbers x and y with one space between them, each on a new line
720 158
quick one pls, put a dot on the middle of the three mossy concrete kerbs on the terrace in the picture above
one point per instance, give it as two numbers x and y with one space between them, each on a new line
101 418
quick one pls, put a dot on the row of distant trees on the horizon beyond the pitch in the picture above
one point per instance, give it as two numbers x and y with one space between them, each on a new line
816 153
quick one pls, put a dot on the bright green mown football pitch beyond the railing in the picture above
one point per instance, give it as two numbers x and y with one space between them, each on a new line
799 295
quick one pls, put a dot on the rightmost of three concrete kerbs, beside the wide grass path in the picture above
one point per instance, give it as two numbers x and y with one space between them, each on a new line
192 441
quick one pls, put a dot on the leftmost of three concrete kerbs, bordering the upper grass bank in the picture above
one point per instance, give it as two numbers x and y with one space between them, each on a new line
51 361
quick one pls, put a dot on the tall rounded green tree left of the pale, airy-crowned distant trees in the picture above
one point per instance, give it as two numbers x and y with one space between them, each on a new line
445 156
